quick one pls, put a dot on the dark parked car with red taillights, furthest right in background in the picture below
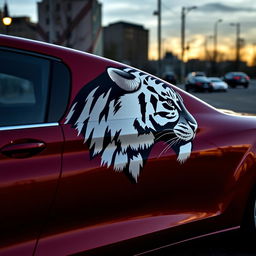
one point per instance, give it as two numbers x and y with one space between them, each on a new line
234 79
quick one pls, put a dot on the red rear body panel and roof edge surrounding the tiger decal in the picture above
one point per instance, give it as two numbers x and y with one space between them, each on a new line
97 207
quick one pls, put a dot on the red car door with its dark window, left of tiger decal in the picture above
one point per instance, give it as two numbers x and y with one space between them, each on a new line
30 148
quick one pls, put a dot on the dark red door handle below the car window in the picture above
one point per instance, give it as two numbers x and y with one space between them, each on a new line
23 149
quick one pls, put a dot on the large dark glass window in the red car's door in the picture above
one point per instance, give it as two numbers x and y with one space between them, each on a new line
24 83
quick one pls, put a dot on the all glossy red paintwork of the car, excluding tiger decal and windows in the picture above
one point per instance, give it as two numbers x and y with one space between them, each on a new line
60 201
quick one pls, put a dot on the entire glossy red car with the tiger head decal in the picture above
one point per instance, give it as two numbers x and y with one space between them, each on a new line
100 158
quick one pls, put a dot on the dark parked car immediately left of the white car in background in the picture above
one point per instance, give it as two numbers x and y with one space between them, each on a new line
198 83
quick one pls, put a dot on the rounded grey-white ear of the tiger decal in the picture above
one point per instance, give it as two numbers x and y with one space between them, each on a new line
124 80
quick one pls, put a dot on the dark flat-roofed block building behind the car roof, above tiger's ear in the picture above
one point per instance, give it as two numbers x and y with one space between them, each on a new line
127 43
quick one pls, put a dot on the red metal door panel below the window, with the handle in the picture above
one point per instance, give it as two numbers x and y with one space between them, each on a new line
28 184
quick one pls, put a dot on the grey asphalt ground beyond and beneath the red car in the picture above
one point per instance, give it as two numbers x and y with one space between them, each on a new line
230 243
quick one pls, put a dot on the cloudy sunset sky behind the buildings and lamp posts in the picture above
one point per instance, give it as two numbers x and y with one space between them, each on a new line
199 23
